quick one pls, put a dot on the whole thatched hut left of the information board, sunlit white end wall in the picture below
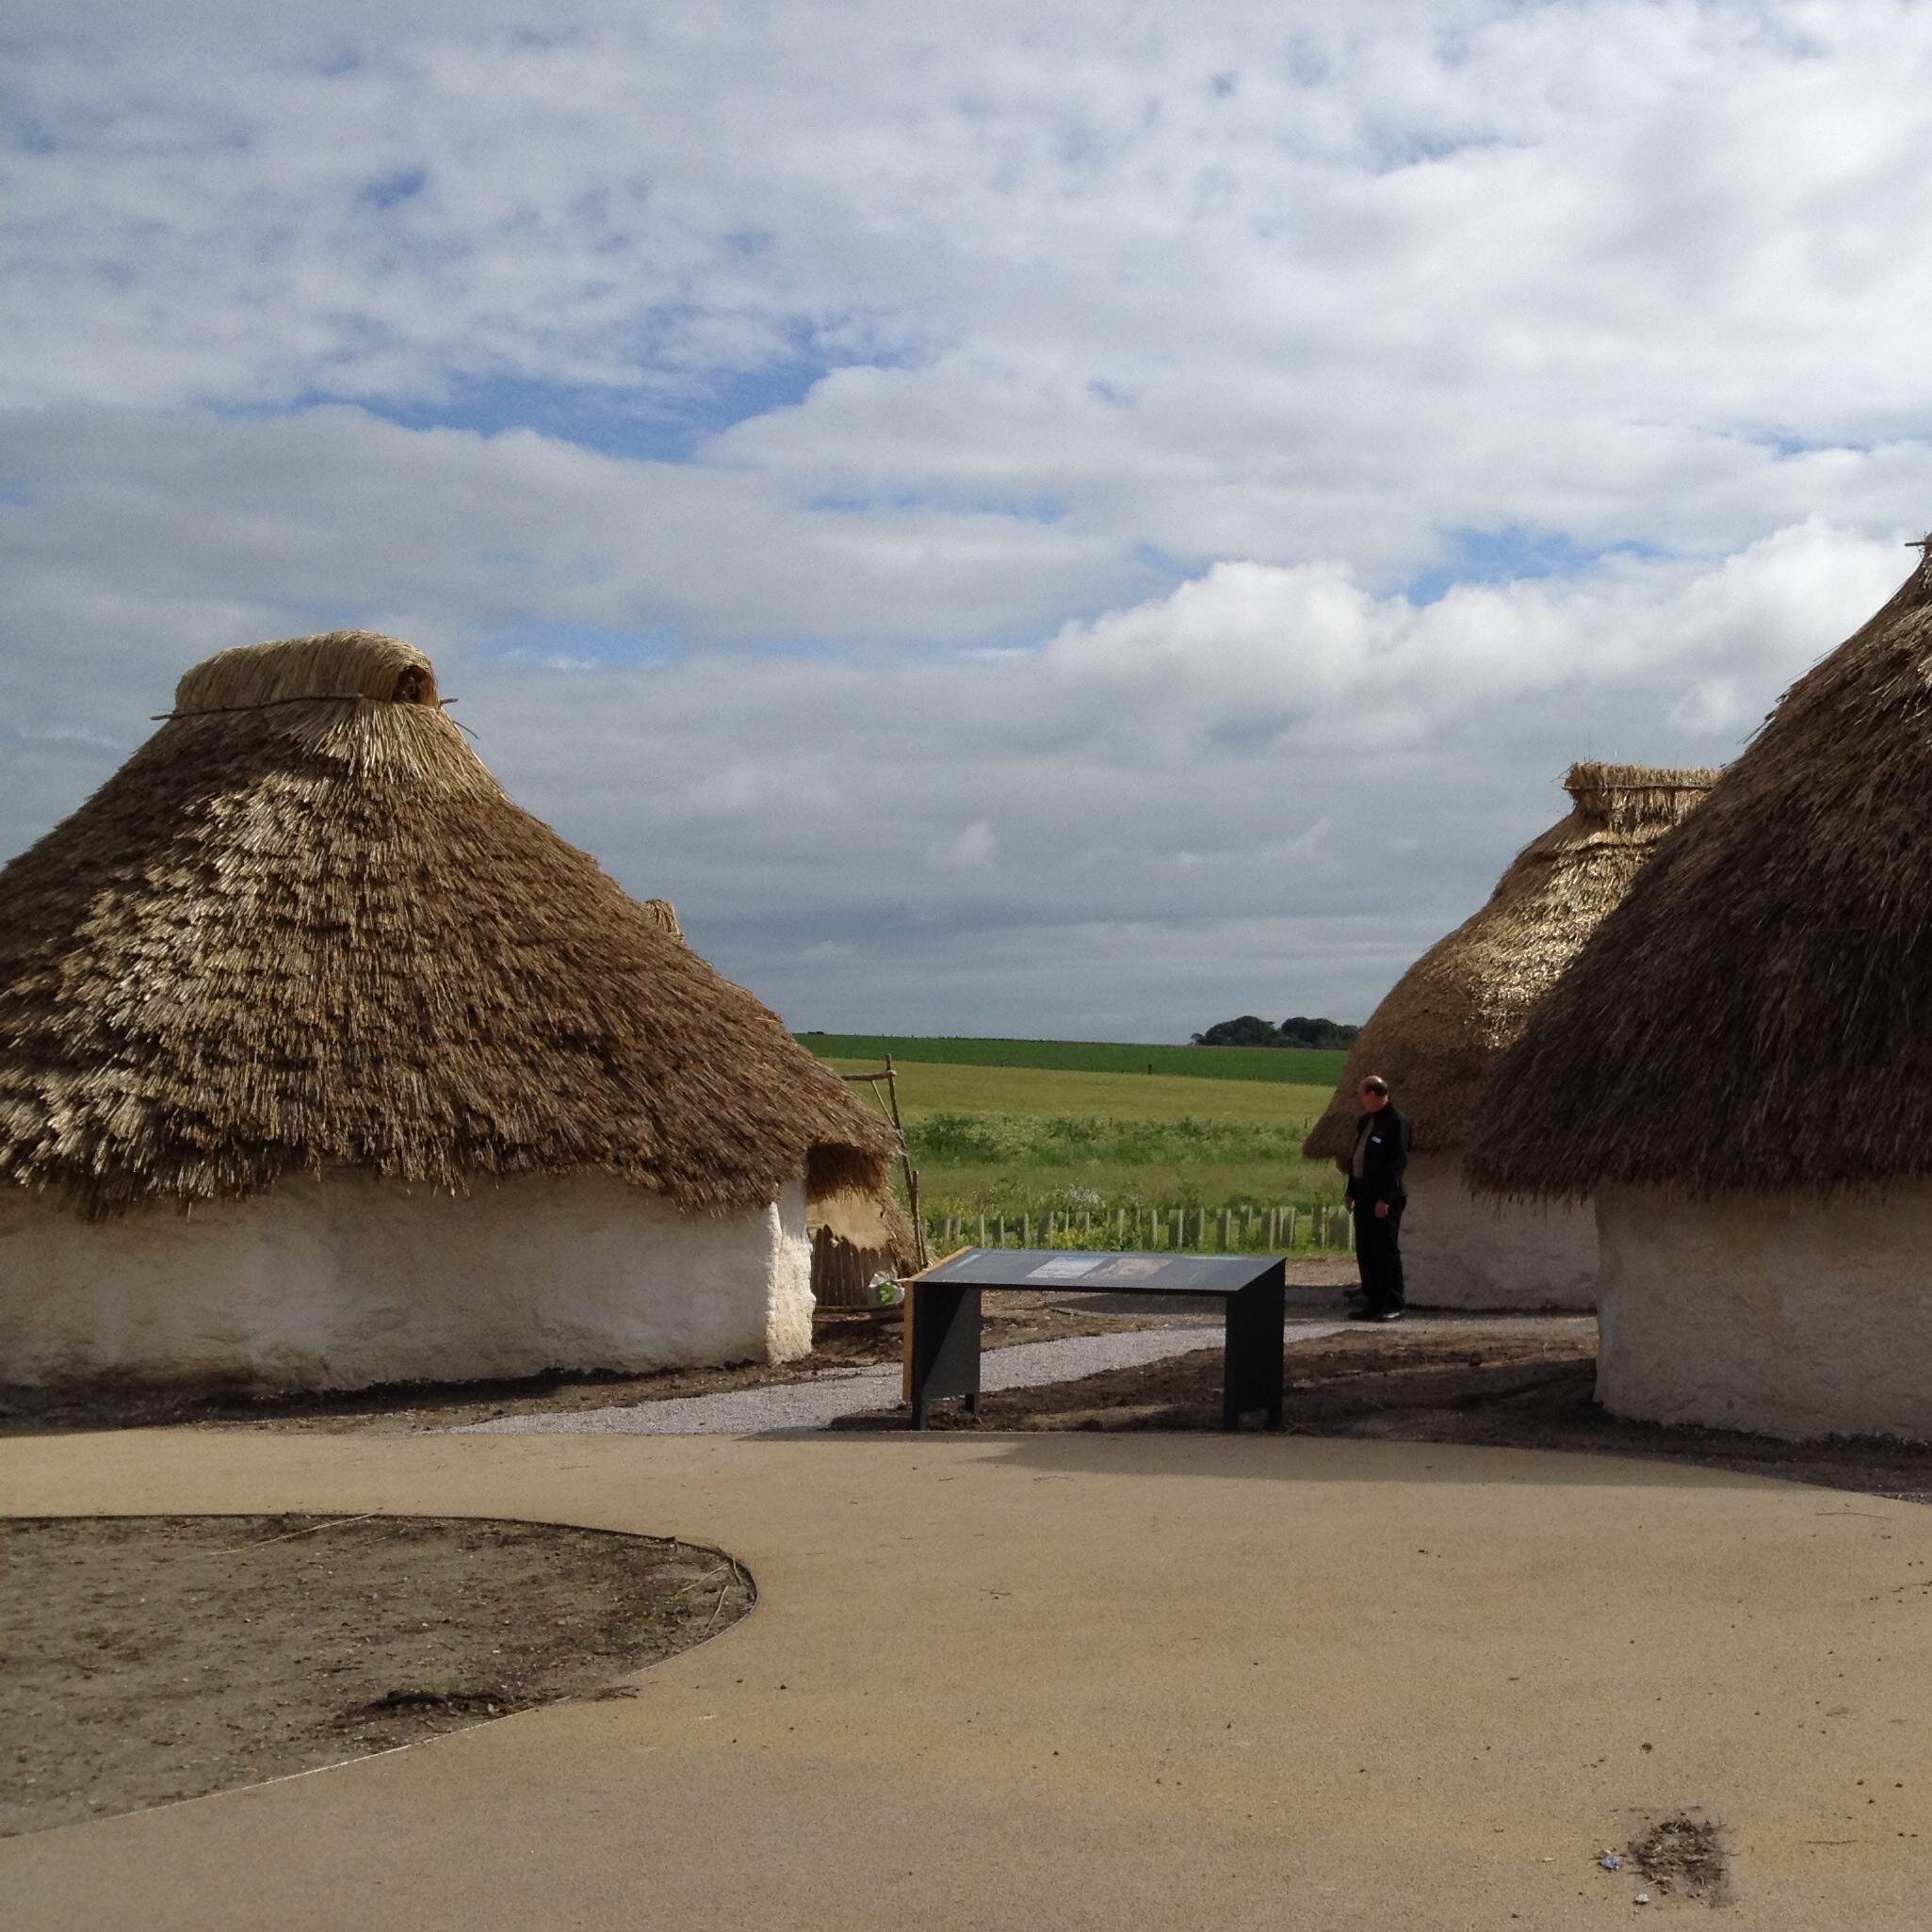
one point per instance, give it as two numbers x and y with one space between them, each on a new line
324 1064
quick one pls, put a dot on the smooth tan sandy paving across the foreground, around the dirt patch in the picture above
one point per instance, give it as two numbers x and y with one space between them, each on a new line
1120 1680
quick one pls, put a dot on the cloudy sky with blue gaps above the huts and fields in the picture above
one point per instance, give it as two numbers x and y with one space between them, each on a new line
1067 523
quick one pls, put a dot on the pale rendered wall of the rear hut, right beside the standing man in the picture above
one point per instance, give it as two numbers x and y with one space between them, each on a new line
1467 1253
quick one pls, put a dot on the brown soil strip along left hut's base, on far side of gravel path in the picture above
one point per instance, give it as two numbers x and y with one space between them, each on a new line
839 1342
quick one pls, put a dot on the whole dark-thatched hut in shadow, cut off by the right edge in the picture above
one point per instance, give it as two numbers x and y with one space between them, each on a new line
1738 1064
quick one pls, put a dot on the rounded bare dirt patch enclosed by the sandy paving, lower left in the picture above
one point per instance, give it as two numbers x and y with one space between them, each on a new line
154 1659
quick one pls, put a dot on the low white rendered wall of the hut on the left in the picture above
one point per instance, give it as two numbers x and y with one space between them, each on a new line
343 1282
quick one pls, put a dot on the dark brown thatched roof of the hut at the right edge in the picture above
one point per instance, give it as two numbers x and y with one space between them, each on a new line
1759 1011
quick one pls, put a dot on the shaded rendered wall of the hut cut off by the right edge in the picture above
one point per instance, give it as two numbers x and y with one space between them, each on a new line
1786 1319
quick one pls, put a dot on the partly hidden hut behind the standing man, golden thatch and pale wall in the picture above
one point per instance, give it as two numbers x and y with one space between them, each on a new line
1442 1033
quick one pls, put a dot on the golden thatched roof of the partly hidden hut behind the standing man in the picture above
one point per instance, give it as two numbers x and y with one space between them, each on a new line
1444 1027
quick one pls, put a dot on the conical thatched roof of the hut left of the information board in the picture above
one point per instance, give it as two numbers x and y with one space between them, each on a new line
304 928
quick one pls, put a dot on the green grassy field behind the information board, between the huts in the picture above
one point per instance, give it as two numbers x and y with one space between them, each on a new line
1087 1147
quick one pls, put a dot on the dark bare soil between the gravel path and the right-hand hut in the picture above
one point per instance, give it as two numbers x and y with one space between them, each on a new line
1494 1380
